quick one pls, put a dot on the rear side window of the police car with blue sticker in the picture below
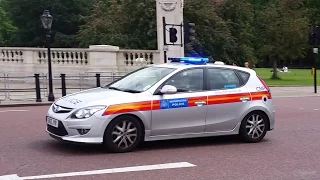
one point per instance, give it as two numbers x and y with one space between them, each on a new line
222 79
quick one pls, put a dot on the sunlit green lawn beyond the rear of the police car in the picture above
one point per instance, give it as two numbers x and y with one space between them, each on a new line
296 77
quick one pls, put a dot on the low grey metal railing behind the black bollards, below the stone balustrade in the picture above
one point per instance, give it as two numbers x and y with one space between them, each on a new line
35 88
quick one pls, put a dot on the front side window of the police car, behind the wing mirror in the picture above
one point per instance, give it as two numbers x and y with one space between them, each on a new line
188 80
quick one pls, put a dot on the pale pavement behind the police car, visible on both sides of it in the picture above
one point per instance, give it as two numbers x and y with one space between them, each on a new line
277 92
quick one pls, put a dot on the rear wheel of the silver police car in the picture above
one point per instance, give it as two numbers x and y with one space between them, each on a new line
253 127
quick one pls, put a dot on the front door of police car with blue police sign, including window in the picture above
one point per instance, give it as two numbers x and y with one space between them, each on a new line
183 112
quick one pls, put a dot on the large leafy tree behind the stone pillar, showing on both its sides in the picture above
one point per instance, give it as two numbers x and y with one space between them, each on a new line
116 23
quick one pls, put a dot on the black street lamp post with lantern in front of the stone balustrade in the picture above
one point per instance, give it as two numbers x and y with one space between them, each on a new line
46 19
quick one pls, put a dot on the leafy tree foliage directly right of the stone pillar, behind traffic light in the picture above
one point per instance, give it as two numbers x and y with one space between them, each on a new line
213 35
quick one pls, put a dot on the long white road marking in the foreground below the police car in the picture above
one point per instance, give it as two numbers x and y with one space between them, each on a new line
103 171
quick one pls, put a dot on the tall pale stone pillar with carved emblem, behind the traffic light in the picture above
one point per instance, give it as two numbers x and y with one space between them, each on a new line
172 10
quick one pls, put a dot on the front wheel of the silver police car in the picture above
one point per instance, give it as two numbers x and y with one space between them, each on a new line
123 134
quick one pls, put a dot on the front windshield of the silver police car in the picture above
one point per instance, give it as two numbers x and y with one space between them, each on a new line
140 80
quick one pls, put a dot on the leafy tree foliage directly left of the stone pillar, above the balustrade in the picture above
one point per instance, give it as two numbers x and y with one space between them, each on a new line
124 23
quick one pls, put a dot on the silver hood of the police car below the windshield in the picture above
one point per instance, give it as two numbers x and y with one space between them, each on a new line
96 96
